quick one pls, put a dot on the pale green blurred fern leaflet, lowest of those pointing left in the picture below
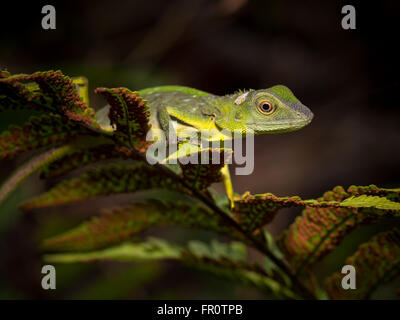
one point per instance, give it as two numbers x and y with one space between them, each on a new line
222 259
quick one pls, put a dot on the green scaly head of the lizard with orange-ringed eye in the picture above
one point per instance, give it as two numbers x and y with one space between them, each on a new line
272 110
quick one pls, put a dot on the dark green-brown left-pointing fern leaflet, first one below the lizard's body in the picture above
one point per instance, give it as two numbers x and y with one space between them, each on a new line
104 181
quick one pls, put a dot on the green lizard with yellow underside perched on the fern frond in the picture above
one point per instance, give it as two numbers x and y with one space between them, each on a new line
267 111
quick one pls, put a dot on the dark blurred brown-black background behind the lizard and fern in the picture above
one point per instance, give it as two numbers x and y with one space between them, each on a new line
348 78
